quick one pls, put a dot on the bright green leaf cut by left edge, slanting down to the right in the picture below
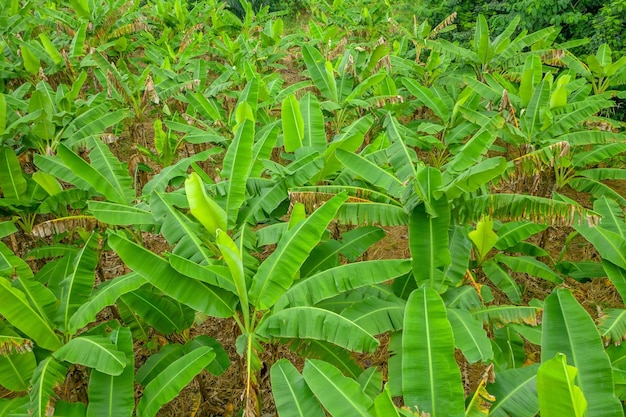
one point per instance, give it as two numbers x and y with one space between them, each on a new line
17 310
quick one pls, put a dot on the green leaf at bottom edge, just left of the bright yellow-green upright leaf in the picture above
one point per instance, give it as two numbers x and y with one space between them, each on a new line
516 393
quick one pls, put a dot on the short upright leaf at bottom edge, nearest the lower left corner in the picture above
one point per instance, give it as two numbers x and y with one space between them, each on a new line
47 376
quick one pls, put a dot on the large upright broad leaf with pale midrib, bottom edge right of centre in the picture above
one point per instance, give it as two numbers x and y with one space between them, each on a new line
431 379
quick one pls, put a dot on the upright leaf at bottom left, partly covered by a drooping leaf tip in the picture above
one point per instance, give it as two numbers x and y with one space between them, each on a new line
113 396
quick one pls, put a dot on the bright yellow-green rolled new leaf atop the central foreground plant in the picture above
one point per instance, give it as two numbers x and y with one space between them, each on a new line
203 208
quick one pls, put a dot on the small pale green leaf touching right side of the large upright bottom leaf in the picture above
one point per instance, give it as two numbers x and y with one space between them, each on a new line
469 336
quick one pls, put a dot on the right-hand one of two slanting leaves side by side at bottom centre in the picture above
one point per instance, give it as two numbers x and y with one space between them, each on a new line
340 395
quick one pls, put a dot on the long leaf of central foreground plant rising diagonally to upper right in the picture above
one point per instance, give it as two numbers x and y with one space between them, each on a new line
276 273
